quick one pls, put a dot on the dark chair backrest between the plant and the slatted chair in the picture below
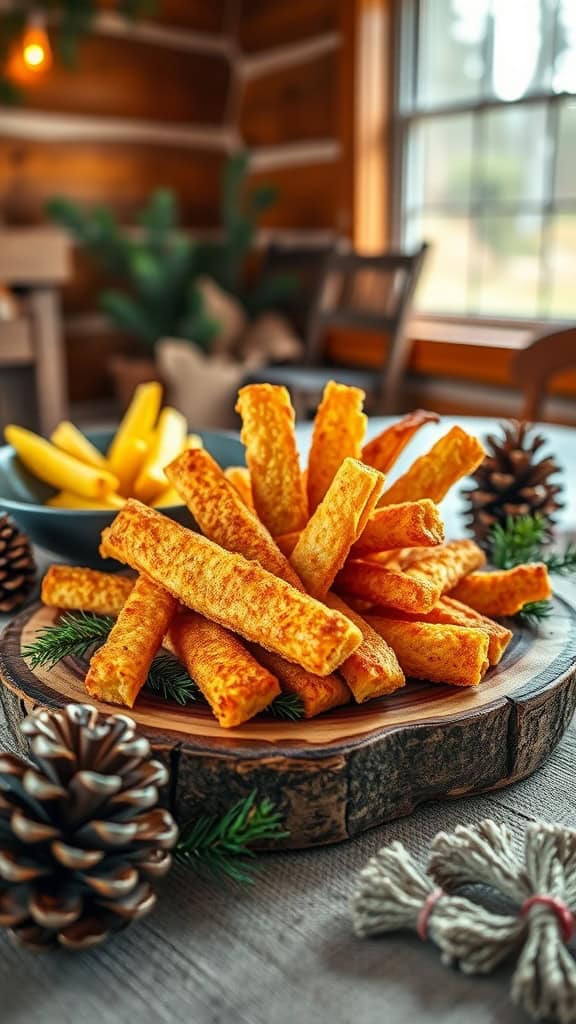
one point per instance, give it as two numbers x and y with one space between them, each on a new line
304 267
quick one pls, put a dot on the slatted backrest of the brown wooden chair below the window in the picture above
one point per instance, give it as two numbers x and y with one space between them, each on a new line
369 293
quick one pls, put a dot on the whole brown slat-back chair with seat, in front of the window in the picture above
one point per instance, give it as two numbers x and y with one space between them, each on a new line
363 294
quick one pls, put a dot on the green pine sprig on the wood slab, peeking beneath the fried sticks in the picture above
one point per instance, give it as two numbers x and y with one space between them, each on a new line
78 632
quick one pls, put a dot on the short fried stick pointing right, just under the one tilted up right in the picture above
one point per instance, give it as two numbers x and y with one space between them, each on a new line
408 525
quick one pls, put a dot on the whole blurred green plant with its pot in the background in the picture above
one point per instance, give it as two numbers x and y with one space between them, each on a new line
170 285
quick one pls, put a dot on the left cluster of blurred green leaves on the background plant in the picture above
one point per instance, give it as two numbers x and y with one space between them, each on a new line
156 269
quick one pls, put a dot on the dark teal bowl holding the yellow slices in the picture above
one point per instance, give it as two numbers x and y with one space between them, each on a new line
74 535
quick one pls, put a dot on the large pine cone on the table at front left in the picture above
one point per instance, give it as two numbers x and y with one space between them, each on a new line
80 830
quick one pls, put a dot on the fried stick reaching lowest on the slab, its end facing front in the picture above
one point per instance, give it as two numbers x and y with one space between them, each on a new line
233 682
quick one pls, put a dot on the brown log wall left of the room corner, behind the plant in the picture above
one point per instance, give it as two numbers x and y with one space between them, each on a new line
147 107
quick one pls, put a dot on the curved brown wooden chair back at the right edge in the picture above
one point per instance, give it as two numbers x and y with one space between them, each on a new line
539 363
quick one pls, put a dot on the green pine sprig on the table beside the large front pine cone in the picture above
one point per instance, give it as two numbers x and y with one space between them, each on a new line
224 846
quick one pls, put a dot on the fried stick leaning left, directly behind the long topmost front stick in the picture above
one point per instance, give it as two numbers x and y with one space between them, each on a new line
222 515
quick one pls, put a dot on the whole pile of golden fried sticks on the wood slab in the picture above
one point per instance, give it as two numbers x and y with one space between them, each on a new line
327 583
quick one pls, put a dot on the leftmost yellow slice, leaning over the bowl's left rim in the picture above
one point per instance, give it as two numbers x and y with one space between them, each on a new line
58 468
